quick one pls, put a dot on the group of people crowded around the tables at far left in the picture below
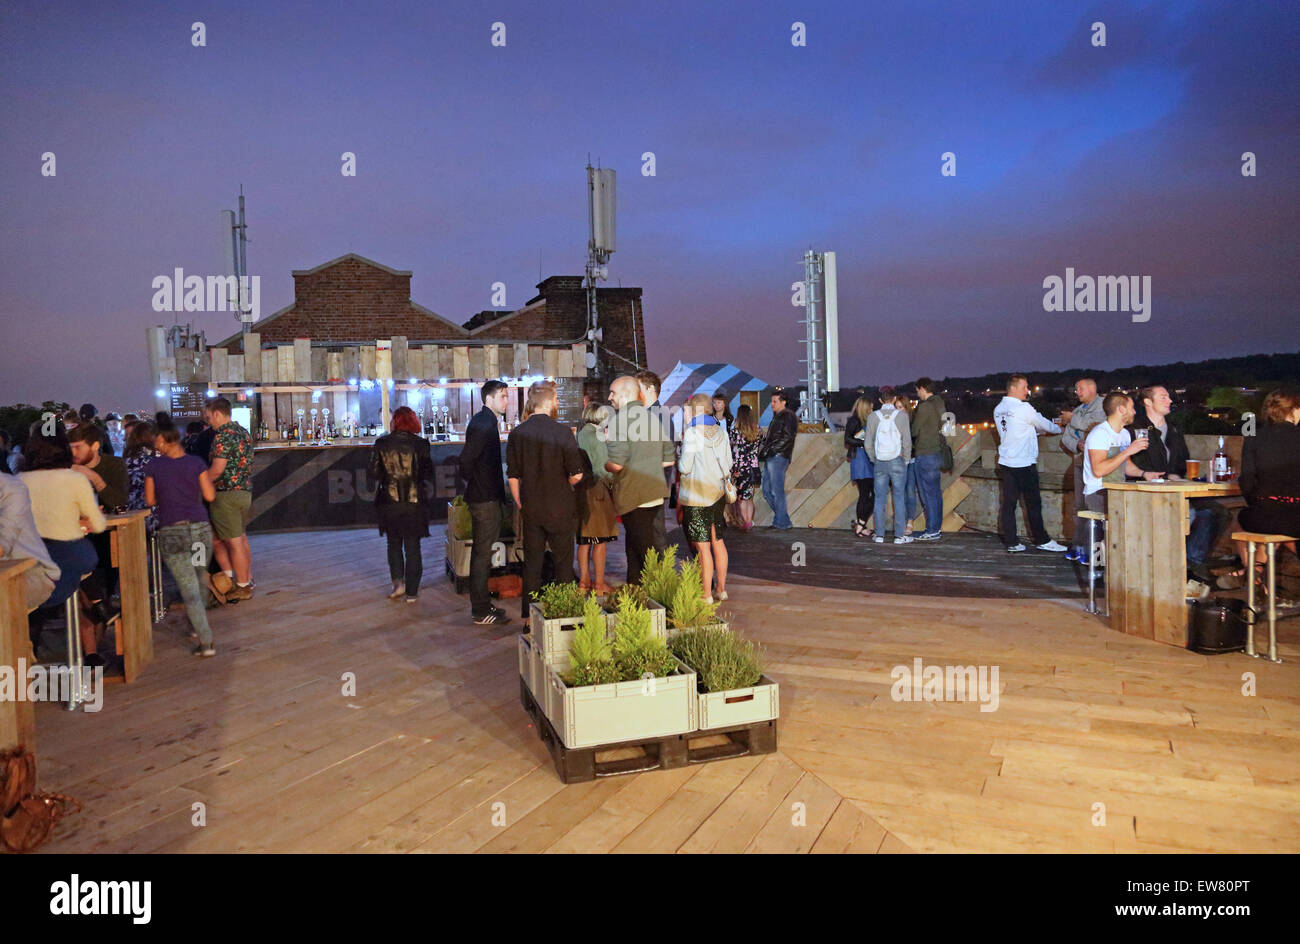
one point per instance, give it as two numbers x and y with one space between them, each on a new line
70 473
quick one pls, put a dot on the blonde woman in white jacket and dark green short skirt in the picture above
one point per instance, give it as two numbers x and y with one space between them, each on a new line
705 466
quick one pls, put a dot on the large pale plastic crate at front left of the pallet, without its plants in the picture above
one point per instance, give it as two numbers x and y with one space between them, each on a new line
623 711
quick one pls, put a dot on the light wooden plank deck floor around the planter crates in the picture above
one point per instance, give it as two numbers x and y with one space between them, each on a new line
435 754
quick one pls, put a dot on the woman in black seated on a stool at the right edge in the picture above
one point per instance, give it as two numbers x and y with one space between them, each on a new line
1271 475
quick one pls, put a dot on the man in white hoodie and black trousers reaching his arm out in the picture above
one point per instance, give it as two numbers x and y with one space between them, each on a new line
1020 426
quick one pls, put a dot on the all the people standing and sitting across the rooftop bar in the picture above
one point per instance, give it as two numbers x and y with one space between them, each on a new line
571 492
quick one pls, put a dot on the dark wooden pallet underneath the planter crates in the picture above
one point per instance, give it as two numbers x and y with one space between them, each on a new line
579 765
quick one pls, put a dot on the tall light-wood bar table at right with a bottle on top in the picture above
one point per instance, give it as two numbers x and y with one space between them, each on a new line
1147 525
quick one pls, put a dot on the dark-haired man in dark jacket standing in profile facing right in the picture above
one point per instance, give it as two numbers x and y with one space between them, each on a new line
486 491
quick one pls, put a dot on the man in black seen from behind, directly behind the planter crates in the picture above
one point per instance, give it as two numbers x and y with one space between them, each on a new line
544 464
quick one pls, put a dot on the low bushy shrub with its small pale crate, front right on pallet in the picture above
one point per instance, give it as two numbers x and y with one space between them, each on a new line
730 670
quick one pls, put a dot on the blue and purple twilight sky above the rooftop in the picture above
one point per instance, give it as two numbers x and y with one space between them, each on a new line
1116 161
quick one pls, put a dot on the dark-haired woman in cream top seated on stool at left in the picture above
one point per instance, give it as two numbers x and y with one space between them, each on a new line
64 509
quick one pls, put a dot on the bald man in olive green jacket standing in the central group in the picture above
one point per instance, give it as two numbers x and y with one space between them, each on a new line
640 451
